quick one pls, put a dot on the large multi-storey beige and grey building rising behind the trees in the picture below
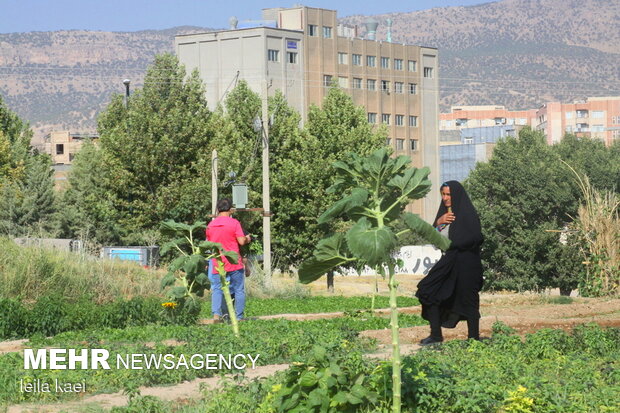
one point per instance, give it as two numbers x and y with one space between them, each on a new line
305 50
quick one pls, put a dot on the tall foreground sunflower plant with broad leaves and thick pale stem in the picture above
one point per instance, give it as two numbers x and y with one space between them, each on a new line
376 190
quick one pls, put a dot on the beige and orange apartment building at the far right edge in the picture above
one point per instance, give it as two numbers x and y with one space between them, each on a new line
594 117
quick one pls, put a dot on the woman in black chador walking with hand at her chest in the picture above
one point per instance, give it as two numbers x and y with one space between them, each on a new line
449 293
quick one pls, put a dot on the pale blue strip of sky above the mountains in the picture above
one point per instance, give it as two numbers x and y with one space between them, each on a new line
133 15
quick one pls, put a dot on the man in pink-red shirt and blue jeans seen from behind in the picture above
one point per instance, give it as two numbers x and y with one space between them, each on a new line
227 231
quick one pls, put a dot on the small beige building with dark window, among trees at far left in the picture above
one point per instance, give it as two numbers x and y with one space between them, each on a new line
62 147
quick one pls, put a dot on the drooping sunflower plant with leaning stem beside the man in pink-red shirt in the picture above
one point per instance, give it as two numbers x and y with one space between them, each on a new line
189 268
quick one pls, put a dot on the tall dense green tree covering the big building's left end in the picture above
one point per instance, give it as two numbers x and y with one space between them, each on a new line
154 155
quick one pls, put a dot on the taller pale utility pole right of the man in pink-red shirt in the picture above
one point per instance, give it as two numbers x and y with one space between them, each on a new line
266 208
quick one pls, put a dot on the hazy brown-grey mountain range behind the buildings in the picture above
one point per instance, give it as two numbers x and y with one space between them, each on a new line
516 53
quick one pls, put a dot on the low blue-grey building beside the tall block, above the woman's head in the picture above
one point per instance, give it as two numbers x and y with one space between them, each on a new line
461 150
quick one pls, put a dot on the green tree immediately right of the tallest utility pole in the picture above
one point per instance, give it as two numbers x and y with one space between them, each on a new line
303 169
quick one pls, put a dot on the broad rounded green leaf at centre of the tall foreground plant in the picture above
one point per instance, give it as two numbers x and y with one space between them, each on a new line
371 244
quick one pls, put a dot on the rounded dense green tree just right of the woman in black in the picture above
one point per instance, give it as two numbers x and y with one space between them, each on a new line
524 195
